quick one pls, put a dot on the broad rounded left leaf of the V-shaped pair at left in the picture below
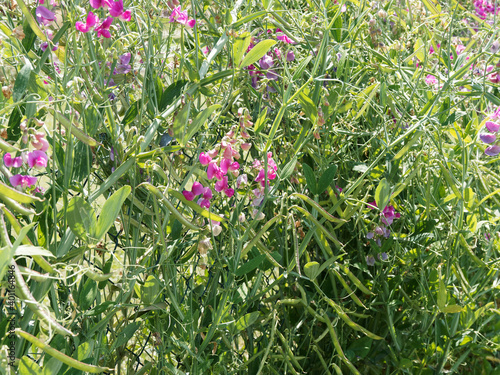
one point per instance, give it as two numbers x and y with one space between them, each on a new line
81 218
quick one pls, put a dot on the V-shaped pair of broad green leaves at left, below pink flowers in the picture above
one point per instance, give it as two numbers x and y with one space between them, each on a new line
83 221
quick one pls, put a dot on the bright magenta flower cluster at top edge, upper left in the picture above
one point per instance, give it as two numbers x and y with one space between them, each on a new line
116 10
